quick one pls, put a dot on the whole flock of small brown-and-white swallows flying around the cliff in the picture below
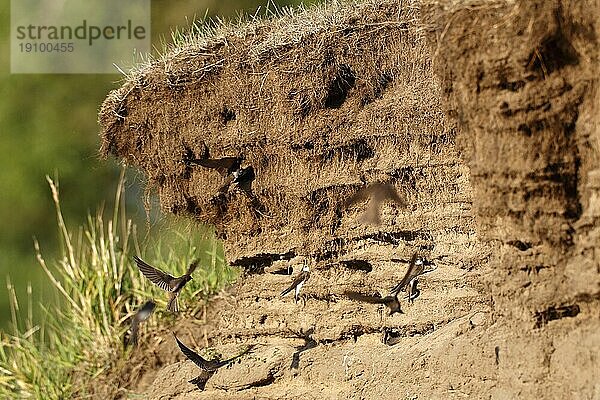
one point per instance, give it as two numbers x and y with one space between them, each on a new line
230 168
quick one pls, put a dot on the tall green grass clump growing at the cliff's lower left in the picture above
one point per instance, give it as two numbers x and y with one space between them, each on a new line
99 288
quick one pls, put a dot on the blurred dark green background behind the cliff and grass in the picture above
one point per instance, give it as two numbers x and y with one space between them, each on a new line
48 126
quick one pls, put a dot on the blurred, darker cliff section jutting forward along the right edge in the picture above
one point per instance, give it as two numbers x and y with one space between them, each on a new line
522 79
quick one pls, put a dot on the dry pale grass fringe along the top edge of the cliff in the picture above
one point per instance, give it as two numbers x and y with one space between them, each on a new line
285 27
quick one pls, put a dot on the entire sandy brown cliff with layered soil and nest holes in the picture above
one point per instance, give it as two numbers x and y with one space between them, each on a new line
481 114
